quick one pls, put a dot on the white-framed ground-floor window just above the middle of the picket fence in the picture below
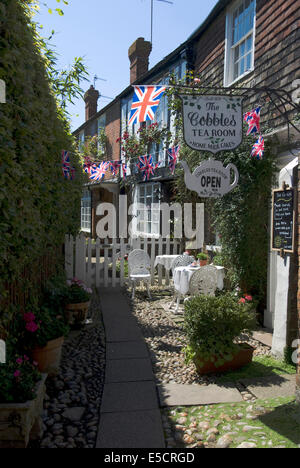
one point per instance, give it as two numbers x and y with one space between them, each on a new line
137 208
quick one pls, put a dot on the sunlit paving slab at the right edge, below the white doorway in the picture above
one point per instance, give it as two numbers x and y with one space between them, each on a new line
271 387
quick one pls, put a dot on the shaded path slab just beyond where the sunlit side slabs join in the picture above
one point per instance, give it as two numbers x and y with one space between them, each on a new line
128 370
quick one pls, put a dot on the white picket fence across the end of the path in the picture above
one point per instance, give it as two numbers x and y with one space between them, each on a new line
102 262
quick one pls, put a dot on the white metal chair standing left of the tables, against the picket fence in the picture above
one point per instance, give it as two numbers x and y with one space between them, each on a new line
139 265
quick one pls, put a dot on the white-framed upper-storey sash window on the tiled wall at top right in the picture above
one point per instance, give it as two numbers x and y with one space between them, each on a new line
229 50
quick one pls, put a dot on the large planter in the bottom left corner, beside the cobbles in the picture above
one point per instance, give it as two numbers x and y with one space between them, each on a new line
21 422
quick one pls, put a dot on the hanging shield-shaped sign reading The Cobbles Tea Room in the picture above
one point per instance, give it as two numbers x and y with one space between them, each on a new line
212 123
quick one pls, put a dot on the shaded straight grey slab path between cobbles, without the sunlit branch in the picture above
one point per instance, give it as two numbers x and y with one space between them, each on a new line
129 416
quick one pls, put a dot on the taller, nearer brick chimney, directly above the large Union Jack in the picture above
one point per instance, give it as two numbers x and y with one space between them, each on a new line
138 54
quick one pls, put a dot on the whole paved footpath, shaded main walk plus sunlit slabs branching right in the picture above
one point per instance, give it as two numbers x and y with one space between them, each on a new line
130 416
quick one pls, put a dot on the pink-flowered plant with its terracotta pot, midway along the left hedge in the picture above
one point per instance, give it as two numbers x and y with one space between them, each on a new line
41 333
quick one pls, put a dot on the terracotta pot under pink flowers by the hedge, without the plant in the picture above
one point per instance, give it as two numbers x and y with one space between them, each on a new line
48 357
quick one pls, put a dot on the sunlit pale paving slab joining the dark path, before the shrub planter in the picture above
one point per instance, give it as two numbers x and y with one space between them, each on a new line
183 394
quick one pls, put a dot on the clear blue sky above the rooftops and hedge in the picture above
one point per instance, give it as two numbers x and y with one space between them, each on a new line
101 31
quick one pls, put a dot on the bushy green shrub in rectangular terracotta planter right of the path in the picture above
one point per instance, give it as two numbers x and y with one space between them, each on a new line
212 325
